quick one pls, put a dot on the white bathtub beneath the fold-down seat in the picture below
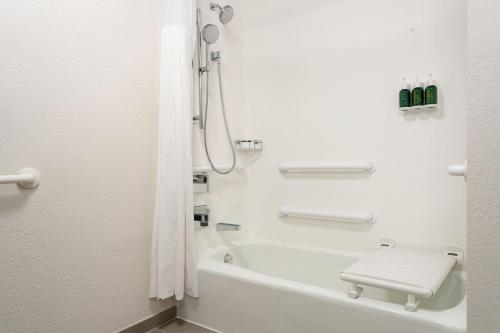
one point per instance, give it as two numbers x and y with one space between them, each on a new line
279 288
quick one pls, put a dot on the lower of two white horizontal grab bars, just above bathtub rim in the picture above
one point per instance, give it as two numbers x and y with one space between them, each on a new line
327 216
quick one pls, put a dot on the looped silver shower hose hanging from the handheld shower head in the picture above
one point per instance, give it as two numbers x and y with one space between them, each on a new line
228 132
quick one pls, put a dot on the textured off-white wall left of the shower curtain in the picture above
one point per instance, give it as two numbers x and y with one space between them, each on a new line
78 100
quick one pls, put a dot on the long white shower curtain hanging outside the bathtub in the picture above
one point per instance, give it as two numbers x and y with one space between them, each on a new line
173 258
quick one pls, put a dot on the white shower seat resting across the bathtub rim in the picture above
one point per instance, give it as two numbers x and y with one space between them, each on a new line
415 272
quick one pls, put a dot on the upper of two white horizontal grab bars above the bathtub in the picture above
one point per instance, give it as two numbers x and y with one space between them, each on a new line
334 167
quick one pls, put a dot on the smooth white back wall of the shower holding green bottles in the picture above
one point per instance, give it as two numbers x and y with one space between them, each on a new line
322 85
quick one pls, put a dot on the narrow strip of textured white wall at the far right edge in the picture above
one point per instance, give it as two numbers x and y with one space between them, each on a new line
484 160
